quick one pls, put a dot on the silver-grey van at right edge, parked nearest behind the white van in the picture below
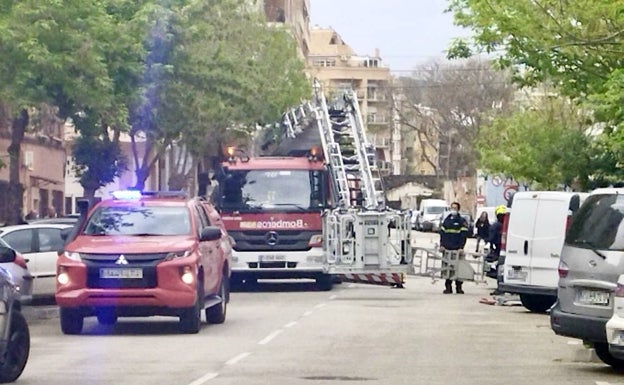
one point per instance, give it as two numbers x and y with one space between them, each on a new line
592 259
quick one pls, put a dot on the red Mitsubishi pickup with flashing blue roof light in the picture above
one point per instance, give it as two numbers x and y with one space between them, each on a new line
144 255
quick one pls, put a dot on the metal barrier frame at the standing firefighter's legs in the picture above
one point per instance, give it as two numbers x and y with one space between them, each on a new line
449 264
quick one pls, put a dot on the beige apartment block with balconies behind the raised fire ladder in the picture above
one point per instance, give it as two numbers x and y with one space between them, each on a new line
339 68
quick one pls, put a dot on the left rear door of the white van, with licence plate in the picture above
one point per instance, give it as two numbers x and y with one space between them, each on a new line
519 233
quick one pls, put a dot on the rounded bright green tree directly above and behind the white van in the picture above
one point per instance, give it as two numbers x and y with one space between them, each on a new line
543 141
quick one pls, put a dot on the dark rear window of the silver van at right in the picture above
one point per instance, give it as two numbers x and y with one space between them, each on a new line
598 223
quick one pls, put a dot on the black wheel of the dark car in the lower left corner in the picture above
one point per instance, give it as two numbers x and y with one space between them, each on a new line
18 348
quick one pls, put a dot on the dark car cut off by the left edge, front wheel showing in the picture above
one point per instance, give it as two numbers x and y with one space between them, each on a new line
14 333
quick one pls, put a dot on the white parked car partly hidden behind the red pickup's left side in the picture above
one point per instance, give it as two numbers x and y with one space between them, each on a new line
39 245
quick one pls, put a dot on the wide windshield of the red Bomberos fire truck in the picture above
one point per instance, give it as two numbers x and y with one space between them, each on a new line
278 190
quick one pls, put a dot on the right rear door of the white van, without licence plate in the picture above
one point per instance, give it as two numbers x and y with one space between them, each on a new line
545 248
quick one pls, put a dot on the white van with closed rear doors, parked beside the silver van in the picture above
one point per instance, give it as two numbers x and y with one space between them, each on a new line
535 233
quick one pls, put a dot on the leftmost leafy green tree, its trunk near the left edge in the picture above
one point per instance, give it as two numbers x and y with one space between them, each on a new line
52 54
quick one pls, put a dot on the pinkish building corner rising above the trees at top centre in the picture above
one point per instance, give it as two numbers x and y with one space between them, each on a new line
296 15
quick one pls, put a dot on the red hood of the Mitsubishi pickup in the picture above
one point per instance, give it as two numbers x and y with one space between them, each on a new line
130 244
